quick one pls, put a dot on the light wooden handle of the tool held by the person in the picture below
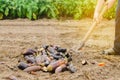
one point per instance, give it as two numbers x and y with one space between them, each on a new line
91 28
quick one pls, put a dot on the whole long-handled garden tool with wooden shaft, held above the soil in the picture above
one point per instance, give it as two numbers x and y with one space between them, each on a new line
94 24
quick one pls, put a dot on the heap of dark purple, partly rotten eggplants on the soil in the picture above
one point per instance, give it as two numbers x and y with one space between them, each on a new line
48 58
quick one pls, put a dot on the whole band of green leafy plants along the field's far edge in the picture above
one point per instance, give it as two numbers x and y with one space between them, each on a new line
35 9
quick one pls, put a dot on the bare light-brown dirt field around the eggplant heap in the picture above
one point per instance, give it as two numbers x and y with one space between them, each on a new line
18 35
